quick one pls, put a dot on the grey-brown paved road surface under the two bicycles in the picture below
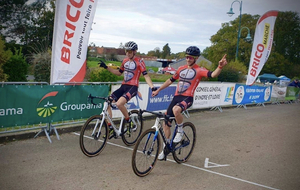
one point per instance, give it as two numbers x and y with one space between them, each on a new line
249 149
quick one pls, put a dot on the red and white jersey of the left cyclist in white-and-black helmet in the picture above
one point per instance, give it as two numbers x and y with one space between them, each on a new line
132 70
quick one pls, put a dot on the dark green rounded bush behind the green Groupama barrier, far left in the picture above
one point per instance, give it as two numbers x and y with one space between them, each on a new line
16 67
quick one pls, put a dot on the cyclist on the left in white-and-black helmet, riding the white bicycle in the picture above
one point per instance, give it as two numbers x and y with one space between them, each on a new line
132 67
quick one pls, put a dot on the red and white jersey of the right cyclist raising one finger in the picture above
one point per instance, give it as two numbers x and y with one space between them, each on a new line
189 79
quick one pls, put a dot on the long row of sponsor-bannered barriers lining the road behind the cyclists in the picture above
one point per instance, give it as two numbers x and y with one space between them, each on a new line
53 105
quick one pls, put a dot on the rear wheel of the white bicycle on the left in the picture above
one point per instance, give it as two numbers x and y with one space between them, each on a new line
131 134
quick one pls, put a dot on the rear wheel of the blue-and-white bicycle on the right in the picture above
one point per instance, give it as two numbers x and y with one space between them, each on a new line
185 147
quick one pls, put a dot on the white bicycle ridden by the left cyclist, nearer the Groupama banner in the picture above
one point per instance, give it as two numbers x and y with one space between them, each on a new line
95 132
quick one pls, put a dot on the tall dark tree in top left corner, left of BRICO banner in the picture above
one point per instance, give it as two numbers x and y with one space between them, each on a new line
27 22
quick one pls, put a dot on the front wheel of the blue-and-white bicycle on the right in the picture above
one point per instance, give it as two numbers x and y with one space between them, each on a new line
145 153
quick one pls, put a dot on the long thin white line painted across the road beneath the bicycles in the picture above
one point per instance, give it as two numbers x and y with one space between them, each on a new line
202 169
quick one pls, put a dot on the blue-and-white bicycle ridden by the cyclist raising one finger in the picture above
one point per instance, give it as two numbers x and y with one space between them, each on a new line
147 147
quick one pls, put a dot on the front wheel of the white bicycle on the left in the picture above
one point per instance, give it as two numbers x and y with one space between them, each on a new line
92 140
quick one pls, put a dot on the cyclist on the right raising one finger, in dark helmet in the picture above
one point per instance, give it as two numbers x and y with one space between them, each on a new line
189 76
